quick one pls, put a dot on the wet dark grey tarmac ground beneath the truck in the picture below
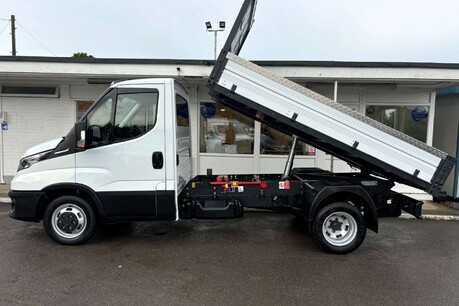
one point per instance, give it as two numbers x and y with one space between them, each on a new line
261 259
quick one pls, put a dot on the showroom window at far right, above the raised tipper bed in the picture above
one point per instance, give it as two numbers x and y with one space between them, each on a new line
411 120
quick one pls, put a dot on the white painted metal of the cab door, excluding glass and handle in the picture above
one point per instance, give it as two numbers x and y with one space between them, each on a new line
127 165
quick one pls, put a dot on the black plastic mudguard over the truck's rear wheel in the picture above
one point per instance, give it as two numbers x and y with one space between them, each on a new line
351 194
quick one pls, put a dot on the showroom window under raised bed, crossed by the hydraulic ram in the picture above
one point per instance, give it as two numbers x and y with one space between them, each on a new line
274 142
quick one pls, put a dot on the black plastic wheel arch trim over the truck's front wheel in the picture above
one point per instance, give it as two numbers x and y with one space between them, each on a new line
57 190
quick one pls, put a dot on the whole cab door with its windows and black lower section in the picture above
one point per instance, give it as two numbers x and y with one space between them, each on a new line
124 157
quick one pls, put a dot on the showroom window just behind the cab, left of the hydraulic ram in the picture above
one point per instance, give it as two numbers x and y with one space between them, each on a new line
223 130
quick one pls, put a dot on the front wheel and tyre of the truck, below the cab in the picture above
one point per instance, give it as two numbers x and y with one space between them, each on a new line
69 220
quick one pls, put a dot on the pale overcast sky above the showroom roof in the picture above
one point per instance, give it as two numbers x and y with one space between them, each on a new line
330 30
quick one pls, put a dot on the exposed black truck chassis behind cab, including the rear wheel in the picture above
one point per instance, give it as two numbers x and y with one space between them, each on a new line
337 208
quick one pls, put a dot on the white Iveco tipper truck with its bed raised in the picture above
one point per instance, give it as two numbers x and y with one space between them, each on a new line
128 158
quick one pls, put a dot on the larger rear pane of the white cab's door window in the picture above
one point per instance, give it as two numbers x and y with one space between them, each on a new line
135 114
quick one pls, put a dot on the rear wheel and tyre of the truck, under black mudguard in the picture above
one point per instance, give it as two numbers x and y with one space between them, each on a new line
339 228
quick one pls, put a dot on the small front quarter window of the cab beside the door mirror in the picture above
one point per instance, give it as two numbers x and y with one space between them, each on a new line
100 124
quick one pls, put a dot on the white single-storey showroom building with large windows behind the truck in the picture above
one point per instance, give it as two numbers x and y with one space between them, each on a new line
42 97
